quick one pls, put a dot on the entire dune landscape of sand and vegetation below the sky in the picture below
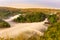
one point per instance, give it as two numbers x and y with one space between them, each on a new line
29 24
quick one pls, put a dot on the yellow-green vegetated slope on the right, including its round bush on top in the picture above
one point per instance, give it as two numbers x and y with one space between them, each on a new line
53 31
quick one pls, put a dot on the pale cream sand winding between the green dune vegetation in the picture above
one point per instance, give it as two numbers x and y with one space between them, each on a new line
18 28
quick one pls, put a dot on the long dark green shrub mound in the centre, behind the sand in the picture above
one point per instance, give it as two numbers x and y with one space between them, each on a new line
28 17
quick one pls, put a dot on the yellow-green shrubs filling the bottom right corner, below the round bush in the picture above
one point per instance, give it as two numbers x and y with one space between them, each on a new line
53 32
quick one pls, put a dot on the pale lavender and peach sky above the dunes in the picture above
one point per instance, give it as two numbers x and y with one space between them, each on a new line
30 3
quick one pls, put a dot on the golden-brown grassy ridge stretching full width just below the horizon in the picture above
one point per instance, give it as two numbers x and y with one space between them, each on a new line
6 12
